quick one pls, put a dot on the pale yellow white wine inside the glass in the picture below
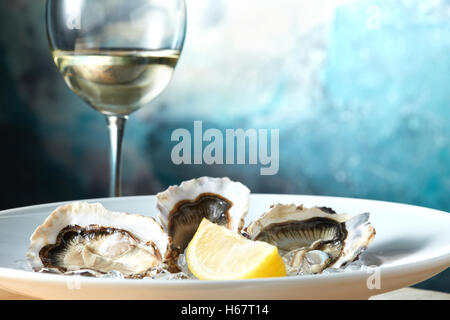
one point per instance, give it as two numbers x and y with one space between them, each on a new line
117 81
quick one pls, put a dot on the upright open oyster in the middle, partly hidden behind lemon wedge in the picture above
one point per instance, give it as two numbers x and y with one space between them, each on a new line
182 208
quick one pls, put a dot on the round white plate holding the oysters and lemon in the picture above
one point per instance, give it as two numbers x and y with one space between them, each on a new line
412 244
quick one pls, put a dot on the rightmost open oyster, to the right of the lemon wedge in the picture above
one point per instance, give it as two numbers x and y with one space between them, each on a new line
312 239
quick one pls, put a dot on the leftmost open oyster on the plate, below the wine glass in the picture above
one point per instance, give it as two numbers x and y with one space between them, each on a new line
82 236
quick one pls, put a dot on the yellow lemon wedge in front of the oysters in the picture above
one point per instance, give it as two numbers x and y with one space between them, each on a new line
217 253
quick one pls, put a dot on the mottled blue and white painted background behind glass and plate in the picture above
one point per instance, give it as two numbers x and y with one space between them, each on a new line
360 92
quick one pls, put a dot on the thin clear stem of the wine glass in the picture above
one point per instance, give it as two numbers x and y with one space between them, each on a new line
116 128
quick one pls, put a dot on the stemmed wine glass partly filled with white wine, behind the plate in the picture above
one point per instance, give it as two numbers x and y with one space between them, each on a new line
117 55
